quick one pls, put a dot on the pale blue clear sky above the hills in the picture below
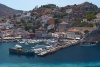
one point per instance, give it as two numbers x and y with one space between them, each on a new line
30 4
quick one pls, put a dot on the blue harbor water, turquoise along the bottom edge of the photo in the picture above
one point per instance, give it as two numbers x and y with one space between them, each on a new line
74 56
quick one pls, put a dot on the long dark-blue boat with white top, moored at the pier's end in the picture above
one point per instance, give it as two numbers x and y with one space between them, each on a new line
18 50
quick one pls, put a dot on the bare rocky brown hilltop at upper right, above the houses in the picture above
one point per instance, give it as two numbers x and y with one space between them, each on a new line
81 8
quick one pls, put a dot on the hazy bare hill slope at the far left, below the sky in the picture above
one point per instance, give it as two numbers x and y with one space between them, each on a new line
7 11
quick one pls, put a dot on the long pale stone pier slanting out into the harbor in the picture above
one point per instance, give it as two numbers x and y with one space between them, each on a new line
59 47
